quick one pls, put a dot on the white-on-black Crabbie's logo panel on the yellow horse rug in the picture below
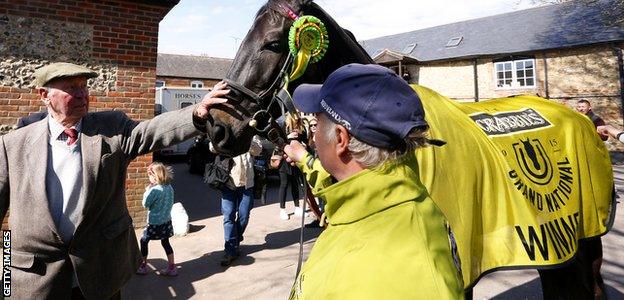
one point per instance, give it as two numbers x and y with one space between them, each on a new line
510 121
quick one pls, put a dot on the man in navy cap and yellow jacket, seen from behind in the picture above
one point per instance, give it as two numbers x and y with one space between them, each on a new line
385 239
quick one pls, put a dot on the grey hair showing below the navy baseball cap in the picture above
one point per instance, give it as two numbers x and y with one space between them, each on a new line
369 156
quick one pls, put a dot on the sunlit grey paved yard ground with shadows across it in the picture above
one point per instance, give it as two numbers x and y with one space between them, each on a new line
270 250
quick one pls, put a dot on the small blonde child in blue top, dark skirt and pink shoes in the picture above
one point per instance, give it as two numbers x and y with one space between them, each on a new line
158 199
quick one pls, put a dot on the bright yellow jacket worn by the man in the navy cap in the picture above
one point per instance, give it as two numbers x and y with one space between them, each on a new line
386 239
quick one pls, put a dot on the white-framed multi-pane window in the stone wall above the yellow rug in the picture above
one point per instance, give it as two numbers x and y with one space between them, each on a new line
515 73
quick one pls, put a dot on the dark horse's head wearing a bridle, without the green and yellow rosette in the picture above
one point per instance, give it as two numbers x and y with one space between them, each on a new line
260 63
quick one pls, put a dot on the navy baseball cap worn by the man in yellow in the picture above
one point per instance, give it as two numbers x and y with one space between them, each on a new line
372 102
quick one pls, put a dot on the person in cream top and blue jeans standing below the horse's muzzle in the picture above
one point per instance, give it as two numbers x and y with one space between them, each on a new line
237 201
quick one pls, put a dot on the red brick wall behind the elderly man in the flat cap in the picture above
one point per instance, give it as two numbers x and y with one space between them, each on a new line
120 37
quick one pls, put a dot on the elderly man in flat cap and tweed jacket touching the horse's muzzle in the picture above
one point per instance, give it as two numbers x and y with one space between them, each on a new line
63 179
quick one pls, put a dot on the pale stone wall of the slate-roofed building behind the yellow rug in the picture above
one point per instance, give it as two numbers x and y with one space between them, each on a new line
589 73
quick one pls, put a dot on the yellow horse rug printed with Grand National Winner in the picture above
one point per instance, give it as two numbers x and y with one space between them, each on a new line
521 180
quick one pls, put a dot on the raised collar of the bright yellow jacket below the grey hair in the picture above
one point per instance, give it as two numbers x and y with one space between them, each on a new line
371 191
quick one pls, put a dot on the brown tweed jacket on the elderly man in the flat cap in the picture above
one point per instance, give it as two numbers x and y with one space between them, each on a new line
103 251
